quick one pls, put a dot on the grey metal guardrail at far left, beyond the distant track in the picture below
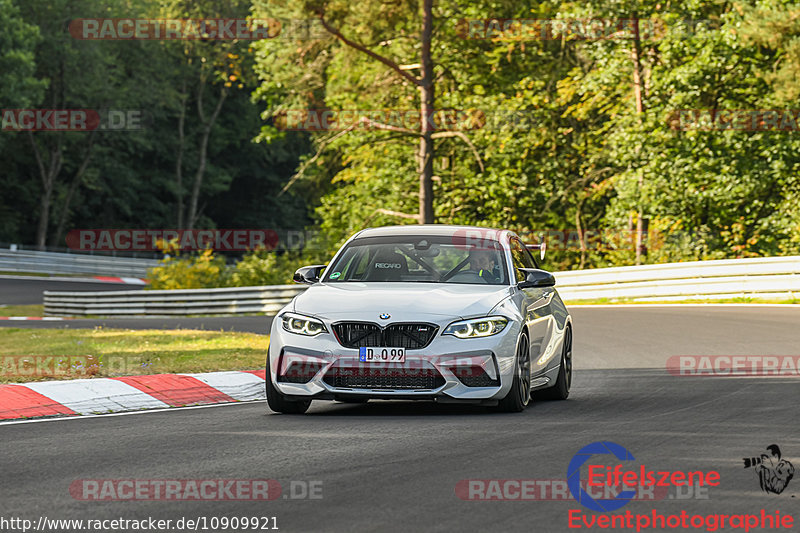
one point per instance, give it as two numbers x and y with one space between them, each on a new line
64 263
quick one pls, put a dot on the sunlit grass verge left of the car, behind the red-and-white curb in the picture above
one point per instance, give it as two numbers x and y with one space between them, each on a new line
44 354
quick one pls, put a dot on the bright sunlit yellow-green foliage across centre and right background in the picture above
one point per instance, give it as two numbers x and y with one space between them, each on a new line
578 160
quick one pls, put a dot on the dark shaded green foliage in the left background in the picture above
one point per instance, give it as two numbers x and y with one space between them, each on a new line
130 180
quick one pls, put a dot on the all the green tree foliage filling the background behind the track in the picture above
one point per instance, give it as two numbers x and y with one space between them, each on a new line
575 161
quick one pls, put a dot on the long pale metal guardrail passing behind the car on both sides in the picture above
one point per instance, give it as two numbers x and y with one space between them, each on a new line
771 277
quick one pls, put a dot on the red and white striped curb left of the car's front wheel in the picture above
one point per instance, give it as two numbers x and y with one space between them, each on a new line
128 393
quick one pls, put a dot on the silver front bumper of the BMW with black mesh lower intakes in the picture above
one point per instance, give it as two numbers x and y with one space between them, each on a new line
448 368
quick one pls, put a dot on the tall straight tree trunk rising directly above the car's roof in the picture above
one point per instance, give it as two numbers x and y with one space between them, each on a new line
427 99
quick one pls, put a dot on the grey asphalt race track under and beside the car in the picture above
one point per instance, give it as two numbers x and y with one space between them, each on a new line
394 466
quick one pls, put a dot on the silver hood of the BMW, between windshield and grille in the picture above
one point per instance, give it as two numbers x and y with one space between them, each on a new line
404 301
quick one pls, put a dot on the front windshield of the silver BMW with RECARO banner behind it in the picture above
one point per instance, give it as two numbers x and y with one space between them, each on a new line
427 259
